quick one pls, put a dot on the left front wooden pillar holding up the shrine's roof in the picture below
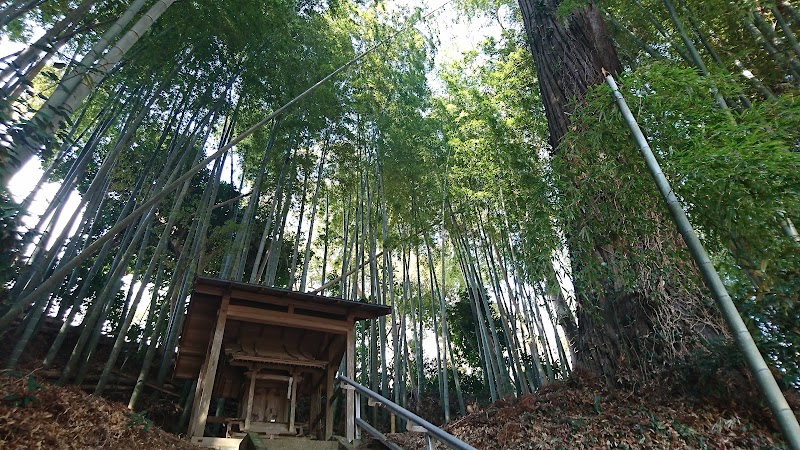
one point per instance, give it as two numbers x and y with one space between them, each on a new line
205 384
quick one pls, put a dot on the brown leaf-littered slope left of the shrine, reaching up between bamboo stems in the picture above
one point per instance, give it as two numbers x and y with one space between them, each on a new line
34 413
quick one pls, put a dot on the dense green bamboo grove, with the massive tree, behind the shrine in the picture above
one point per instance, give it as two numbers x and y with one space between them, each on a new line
502 211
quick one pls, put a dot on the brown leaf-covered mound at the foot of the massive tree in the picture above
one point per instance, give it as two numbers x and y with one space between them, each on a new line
582 413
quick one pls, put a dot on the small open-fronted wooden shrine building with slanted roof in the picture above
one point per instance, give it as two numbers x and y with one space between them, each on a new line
267 352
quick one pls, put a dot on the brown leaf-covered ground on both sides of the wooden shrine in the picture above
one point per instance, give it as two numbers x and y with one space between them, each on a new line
580 413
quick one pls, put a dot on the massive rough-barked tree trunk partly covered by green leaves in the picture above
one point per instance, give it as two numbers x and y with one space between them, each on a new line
640 308
